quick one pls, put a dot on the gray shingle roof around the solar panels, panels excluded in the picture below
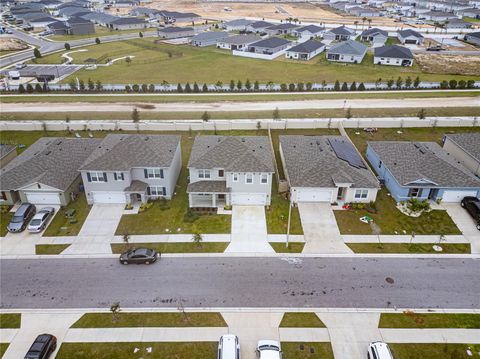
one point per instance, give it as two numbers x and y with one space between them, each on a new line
310 161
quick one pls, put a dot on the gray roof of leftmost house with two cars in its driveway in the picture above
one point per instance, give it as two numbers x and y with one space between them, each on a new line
52 161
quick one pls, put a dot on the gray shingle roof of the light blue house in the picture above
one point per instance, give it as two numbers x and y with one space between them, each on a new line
410 162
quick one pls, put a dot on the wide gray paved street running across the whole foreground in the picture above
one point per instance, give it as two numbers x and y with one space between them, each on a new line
242 282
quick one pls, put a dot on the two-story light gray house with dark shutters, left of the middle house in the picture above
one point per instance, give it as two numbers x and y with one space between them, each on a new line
129 168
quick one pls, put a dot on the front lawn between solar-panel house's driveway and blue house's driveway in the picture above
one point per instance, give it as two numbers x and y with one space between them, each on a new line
392 221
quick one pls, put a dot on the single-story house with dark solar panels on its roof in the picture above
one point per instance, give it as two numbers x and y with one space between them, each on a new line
326 169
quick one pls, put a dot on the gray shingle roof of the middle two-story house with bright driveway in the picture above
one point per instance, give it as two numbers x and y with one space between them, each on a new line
232 153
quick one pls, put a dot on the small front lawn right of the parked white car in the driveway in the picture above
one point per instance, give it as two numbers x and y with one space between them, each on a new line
61 225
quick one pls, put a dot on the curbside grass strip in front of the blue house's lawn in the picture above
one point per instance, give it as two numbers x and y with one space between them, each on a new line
448 248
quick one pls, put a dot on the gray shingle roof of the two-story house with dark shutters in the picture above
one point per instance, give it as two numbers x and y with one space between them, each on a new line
118 152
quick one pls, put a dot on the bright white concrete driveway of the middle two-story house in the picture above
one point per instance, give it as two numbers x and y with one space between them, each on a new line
249 230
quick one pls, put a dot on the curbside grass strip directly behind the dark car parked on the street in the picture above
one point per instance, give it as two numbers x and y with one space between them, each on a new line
206 247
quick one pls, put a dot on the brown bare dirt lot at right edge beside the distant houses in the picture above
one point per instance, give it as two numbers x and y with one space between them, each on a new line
455 64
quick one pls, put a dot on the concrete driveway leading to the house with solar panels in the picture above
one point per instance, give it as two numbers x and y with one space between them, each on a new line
320 229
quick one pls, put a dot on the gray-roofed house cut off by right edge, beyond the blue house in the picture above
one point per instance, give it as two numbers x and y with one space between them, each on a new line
465 147
